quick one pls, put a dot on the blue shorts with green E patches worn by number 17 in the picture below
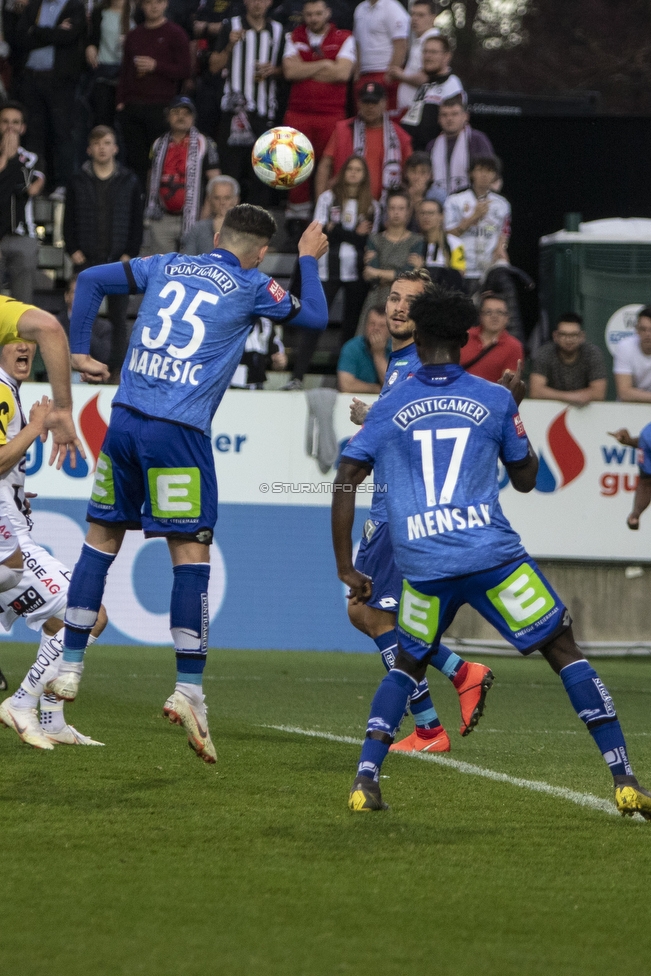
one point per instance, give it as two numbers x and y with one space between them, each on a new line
515 598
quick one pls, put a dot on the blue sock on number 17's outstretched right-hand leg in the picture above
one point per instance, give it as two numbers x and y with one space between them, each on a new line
594 706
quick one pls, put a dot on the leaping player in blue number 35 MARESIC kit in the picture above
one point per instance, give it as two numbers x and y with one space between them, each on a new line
155 470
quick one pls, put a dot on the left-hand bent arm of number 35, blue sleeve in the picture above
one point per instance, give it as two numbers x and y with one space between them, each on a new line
92 285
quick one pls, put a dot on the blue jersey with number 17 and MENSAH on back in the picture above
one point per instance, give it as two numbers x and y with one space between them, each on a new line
435 441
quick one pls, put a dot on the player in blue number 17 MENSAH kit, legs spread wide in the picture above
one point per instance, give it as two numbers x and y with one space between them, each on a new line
436 440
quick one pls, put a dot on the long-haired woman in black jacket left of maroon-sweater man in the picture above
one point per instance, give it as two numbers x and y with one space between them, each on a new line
110 22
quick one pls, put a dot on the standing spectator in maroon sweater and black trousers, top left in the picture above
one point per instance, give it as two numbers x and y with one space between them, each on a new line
156 59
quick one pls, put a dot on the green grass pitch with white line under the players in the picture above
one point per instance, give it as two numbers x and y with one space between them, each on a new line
139 859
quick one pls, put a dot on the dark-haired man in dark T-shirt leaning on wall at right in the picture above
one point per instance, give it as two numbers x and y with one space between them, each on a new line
568 368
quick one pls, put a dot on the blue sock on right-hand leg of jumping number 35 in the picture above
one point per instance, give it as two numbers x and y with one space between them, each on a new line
189 619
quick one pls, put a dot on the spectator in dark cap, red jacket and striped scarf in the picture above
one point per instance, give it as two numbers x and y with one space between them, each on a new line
372 135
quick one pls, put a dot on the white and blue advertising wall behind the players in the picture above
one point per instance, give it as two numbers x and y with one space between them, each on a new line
273 581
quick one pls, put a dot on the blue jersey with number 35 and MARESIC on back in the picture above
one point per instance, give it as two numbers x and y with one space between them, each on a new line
190 332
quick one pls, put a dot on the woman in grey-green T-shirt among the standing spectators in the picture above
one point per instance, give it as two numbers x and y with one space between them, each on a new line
394 250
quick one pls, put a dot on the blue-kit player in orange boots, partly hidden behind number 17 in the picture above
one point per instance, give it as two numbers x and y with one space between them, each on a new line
377 617
